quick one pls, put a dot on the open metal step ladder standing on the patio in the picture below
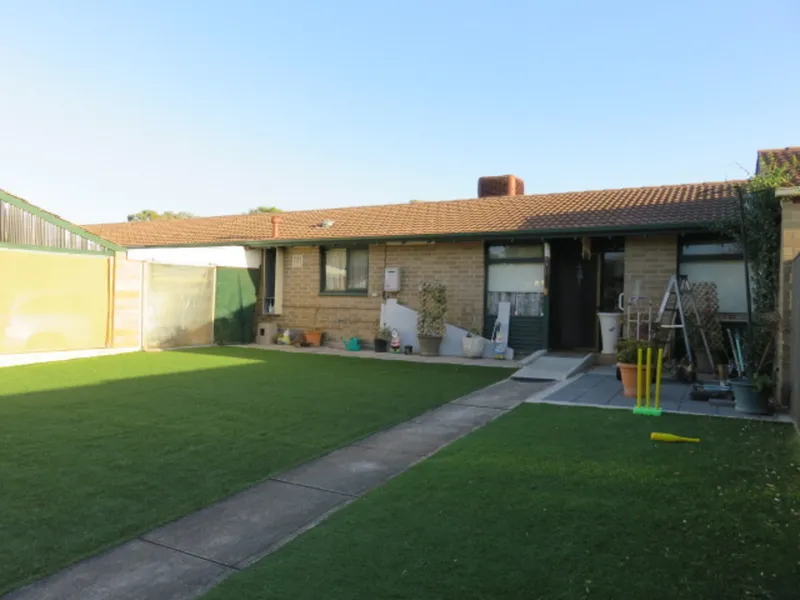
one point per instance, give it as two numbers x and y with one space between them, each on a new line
678 300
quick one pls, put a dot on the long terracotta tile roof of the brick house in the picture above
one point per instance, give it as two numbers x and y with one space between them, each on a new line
631 208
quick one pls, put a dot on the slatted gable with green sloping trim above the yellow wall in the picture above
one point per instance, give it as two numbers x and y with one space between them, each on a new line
65 235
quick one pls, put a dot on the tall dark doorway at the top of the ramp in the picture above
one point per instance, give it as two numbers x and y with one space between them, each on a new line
573 297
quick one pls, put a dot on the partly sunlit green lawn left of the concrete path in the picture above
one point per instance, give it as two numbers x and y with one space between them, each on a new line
99 450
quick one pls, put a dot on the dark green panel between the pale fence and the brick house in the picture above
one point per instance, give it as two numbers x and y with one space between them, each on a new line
235 305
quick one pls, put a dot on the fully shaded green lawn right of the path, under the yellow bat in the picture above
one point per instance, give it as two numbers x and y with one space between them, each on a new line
561 503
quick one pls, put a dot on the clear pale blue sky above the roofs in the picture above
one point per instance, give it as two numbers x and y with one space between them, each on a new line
109 107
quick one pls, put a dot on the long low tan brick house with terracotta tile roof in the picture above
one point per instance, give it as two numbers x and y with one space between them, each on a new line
558 258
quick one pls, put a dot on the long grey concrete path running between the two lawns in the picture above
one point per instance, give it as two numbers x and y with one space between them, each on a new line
187 557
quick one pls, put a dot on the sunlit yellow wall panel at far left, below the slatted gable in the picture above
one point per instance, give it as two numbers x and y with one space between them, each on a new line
53 301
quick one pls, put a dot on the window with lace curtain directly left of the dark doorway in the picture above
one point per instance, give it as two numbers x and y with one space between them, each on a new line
516 275
